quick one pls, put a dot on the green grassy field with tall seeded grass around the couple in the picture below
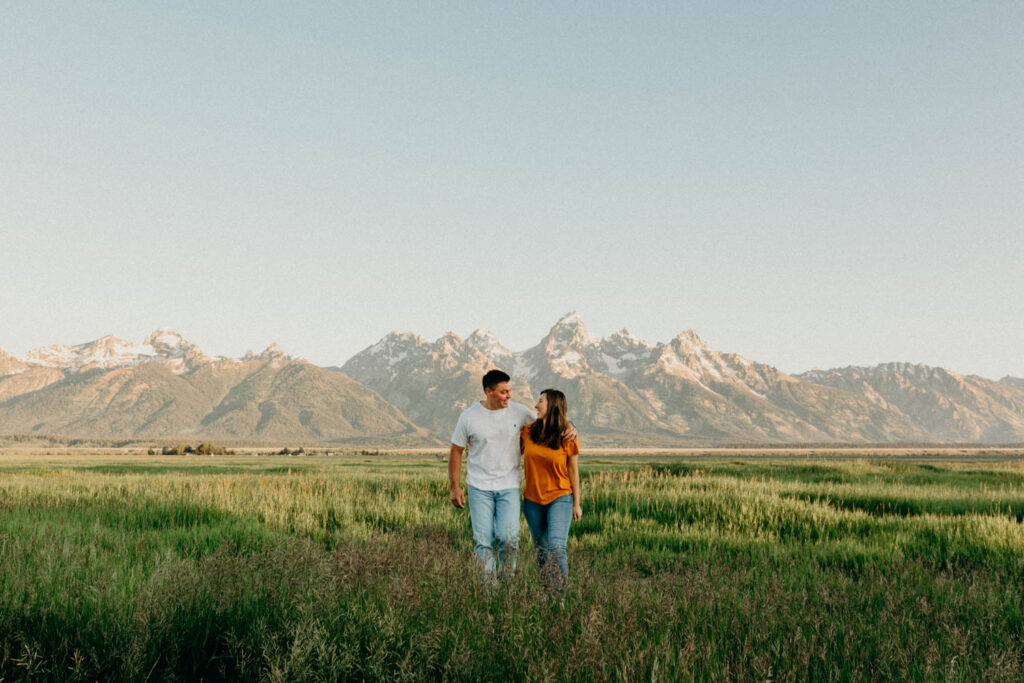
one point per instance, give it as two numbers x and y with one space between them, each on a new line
287 569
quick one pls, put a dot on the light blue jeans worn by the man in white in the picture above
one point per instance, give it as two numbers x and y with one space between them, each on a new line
495 516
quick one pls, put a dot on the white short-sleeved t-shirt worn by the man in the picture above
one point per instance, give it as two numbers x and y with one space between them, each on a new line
492 440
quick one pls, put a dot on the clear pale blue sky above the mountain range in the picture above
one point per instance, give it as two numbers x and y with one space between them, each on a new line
808 185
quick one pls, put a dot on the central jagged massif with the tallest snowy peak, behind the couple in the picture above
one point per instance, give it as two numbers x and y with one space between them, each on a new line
625 391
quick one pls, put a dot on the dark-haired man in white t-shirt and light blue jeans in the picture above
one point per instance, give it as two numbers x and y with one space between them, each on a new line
491 431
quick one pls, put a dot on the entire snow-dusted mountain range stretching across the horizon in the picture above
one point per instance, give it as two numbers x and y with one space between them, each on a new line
406 391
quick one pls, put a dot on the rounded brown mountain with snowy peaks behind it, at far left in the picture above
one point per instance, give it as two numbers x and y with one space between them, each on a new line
167 388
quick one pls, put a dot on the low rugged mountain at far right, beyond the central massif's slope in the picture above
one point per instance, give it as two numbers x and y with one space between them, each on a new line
950 407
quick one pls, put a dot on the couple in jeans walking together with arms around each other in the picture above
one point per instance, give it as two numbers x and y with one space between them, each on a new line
497 432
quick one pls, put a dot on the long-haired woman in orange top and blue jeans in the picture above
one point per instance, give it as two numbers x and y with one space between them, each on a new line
552 497
